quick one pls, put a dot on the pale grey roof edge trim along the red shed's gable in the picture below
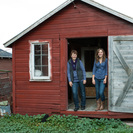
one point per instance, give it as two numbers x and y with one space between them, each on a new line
90 2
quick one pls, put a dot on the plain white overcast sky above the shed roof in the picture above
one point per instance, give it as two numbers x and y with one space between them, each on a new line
17 15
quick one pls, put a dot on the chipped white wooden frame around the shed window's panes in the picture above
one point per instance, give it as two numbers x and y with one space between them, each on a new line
32 63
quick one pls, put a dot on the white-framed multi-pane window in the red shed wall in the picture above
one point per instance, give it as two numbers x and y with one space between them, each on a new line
40 60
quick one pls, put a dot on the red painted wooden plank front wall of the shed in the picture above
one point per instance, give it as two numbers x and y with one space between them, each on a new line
82 21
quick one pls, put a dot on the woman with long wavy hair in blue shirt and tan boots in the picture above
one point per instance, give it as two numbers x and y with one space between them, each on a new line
99 77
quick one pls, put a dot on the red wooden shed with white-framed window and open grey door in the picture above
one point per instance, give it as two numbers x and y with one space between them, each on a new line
41 51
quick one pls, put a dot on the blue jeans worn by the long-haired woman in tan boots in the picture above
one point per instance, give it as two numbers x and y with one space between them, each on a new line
100 87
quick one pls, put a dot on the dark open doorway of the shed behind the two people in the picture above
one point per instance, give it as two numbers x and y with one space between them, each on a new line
86 48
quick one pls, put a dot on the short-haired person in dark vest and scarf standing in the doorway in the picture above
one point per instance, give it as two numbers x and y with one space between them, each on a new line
77 78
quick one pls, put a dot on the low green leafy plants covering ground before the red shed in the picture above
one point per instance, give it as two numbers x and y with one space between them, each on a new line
60 124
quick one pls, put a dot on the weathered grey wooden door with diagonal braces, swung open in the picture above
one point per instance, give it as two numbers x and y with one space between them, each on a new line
121 73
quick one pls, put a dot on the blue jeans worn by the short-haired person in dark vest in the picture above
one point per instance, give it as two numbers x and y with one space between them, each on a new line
75 93
